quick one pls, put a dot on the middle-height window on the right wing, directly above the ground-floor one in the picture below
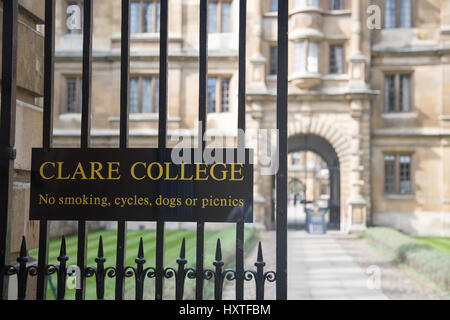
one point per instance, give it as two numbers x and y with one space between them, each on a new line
398 91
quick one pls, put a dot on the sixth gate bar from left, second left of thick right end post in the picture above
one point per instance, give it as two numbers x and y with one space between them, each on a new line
202 116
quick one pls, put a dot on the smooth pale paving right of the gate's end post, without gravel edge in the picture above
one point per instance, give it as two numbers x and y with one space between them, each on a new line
319 268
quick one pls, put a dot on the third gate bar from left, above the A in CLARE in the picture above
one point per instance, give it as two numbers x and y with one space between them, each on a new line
85 132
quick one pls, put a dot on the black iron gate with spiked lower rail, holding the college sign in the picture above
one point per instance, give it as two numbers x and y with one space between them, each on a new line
120 271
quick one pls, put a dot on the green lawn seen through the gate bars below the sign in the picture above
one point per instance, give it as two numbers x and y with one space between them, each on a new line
173 239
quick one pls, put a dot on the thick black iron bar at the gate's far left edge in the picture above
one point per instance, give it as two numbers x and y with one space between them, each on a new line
7 133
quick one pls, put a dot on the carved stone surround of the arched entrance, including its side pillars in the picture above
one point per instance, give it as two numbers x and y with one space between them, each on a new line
346 129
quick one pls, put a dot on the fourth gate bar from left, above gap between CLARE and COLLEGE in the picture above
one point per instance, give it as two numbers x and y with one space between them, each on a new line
124 116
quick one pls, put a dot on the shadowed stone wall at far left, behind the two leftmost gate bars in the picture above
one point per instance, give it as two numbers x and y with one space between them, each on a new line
28 124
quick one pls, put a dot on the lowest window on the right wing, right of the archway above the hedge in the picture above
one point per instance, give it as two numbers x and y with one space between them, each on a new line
397 173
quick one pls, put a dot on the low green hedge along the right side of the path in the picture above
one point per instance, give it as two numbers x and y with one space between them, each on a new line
431 263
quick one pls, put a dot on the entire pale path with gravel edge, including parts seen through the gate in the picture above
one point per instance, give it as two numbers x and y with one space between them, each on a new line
333 266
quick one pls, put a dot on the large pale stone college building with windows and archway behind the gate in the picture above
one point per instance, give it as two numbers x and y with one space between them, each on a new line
368 92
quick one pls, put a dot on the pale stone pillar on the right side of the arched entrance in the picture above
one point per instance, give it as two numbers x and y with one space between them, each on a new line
357 205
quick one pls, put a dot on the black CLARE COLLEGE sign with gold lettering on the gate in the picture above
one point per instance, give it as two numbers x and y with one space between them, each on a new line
142 185
